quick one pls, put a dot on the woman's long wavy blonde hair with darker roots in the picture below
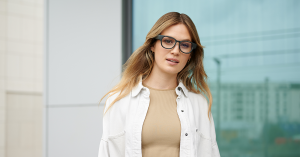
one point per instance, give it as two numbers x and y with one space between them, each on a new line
140 63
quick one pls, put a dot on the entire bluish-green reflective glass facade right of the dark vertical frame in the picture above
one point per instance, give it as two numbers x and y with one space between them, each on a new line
252 58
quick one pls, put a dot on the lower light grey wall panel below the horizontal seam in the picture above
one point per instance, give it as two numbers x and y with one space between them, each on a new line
74 131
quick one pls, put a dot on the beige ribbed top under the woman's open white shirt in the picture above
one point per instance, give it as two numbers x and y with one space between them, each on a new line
161 128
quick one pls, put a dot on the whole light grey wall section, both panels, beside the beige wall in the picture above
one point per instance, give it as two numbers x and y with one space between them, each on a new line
82 63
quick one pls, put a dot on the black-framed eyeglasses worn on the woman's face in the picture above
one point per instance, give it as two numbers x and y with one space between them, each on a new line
168 42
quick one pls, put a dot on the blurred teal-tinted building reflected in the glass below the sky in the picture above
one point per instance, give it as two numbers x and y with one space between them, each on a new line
247 107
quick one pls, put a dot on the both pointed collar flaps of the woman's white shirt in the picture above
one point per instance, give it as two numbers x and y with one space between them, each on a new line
180 88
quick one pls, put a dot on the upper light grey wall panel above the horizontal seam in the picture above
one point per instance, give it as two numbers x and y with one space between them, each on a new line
84 49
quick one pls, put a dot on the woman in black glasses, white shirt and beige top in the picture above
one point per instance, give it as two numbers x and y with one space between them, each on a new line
158 109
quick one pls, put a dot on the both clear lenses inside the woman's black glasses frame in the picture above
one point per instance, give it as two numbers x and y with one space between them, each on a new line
184 46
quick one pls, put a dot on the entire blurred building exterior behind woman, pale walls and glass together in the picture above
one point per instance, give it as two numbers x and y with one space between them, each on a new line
59 57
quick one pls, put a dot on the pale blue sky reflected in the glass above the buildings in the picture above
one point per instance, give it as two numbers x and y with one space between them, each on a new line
253 39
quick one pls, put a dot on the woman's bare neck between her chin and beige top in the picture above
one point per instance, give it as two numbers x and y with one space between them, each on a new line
162 81
